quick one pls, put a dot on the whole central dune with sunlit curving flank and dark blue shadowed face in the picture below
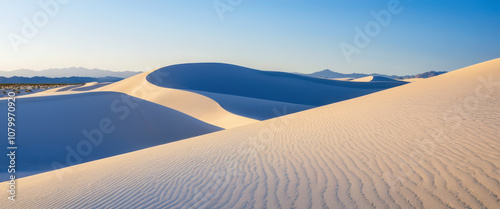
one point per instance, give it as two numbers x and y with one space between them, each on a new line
229 96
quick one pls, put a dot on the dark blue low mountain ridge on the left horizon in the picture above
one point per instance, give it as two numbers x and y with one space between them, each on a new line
65 80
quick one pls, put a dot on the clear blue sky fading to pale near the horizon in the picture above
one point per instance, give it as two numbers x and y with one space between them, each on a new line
284 35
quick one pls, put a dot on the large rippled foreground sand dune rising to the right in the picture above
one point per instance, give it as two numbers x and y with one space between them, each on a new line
429 144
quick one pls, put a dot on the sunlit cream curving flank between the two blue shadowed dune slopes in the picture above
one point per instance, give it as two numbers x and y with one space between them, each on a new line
195 105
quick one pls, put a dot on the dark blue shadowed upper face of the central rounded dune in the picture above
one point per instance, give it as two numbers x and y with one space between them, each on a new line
266 85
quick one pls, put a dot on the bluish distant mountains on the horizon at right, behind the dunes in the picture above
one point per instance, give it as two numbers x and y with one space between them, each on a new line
331 74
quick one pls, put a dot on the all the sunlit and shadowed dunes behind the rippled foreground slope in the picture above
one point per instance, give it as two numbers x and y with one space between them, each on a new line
141 114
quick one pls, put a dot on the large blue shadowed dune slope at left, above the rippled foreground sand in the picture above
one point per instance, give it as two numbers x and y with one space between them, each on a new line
69 129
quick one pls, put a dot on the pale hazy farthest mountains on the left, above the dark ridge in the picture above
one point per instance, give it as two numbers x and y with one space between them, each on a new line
68 72
